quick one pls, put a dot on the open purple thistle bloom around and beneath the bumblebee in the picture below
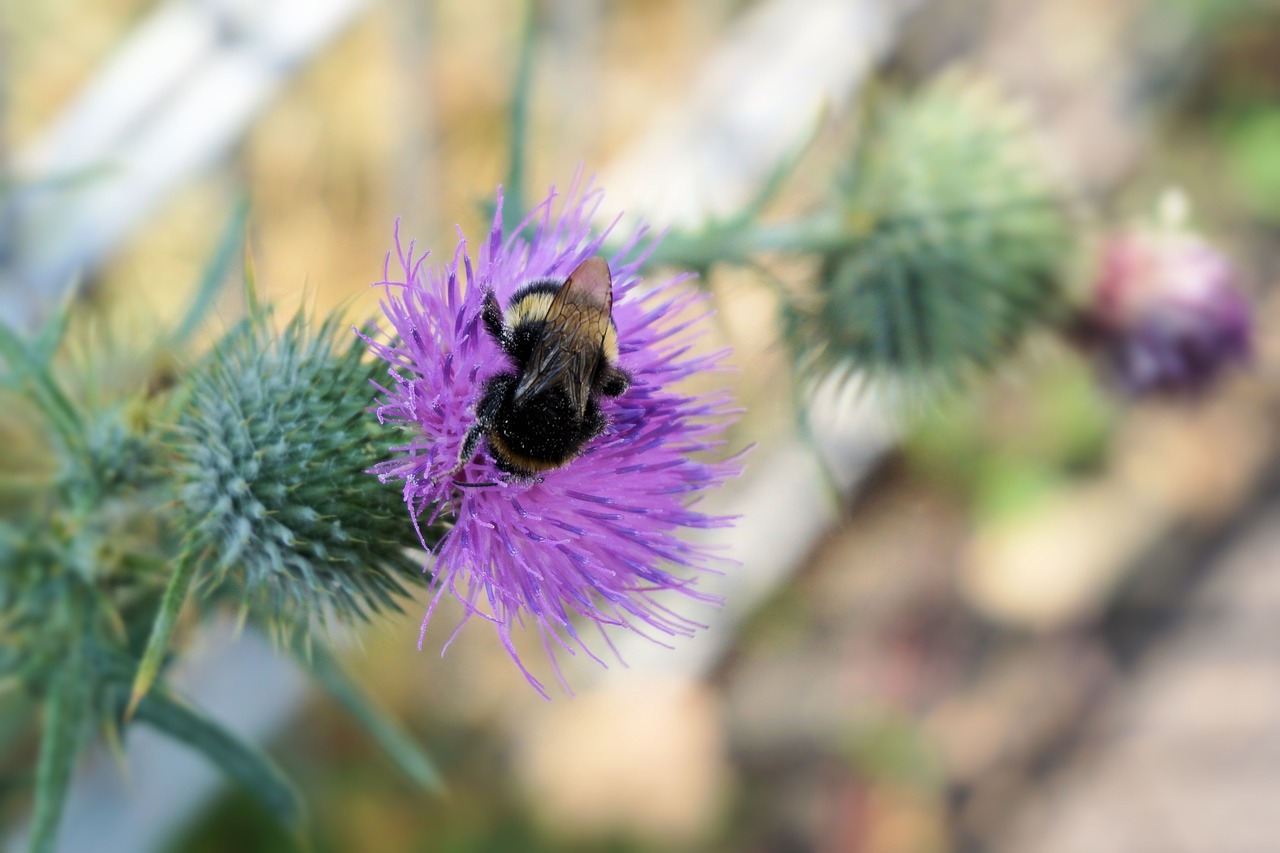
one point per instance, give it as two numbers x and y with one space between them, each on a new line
597 537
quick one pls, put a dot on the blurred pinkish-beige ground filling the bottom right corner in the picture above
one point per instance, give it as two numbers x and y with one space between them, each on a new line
1187 755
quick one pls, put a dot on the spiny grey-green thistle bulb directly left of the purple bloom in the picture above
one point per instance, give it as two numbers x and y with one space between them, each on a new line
273 448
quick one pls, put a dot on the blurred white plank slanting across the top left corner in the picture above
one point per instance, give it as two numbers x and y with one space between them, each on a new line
172 102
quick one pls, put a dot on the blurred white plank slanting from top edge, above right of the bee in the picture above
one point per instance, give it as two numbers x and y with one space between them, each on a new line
753 103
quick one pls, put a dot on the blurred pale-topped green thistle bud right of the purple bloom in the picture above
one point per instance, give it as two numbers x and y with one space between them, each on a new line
956 243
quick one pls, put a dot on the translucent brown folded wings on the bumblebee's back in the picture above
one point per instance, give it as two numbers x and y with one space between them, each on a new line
573 341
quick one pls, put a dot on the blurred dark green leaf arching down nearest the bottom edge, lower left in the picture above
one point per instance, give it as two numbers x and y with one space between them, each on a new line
254 770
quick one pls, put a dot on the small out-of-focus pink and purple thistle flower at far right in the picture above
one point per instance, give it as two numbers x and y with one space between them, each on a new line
1167 313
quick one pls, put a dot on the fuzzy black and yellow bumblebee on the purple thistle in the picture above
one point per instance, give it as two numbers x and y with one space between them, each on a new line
564 349
